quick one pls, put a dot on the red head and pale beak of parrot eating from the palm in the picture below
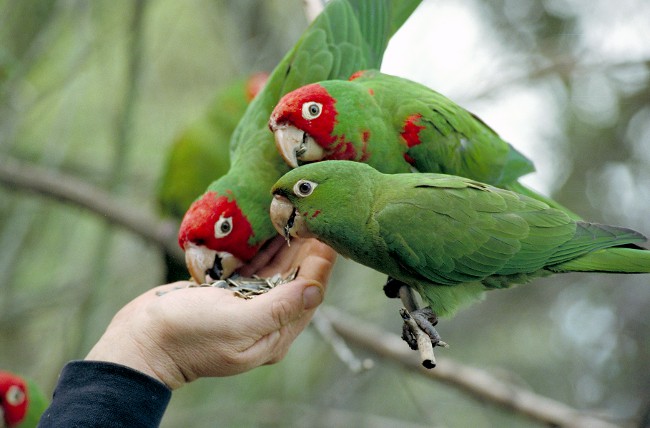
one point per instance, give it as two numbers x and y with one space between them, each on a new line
216 237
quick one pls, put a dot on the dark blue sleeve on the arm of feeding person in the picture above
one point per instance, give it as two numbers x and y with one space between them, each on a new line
100 394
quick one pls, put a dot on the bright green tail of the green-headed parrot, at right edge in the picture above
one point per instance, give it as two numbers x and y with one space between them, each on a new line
609 260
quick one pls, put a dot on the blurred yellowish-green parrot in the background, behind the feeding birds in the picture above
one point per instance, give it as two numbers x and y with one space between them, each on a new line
199 154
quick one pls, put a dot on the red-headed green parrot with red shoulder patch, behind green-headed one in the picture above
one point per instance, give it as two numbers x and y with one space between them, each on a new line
395 125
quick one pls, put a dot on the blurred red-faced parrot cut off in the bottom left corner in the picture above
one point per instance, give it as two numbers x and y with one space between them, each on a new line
21 402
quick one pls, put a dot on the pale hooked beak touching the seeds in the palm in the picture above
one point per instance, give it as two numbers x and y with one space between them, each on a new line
206 265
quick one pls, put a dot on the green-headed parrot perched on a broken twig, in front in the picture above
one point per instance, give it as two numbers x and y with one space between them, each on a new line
447 237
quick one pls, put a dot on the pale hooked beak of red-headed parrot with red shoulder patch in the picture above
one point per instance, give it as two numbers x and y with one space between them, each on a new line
296 146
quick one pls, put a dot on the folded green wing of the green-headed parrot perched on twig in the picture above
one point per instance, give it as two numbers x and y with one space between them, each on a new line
476 230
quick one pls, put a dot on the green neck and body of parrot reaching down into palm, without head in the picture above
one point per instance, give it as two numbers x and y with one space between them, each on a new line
347 36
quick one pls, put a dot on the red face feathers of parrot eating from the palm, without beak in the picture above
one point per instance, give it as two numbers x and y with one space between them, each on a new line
198 226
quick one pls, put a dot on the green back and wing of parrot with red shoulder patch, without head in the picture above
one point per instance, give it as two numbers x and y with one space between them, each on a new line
453 140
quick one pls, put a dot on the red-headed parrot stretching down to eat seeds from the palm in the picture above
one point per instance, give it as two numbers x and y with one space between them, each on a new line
227 225
